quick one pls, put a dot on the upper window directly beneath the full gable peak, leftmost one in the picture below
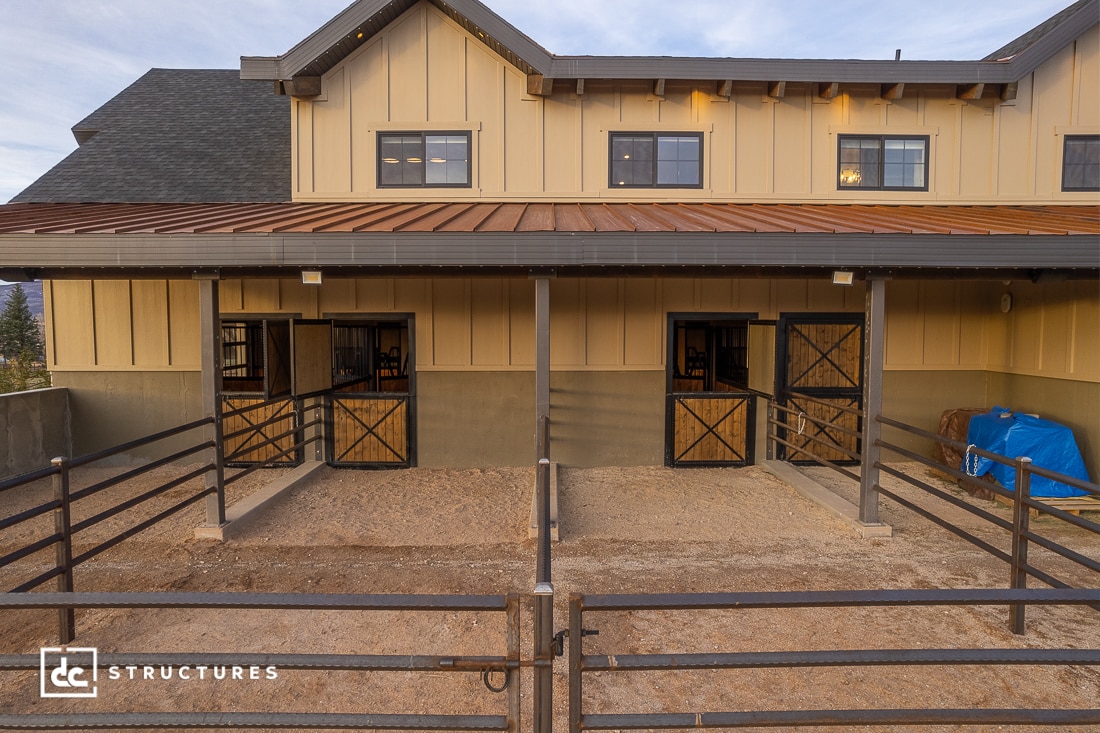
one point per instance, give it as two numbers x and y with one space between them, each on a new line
427 160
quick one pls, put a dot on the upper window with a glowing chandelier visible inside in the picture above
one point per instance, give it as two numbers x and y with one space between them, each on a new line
883 163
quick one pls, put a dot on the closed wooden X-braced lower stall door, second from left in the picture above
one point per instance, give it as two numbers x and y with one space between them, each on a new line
371 431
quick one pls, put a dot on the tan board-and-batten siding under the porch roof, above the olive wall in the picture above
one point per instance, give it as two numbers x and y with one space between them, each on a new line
598 324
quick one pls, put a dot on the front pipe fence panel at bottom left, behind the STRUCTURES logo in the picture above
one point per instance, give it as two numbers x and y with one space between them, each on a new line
507 666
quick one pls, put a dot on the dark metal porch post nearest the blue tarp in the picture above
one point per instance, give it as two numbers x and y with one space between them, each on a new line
874 353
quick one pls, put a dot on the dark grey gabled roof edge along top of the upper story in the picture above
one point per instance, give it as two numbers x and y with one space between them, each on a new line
365 19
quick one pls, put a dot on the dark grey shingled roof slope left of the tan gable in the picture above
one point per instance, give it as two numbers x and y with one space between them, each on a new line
178 136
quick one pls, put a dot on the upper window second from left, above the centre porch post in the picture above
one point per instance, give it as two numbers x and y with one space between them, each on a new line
656 160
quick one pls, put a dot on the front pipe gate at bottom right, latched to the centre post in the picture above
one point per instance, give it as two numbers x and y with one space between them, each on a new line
619 664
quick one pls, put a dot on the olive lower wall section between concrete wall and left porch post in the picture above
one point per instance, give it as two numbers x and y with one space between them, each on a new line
114 408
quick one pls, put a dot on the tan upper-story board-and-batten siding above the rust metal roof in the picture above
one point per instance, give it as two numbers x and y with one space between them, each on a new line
426 73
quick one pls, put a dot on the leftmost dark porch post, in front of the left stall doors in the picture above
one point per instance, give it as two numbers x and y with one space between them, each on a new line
211 334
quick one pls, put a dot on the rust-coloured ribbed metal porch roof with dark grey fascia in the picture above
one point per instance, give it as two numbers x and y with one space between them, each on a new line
56 242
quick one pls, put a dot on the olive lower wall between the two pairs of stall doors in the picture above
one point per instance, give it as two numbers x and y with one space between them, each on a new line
488 419
